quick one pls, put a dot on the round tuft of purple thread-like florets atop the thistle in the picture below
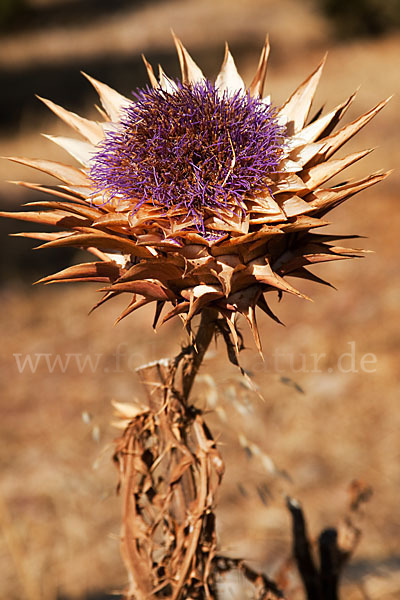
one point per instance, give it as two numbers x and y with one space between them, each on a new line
196 149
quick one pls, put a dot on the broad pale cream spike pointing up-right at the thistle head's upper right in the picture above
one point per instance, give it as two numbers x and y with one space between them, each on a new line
298 106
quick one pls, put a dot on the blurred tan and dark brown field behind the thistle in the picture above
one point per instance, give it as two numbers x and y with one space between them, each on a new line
322 424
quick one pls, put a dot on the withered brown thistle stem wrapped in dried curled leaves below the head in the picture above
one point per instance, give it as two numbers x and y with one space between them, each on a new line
170 471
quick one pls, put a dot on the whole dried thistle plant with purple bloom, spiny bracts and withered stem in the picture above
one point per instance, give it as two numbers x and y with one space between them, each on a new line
199 197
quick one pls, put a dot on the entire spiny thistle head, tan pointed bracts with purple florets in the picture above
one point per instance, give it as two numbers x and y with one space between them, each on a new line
195 194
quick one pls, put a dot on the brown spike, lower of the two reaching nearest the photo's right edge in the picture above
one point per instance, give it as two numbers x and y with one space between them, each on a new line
324 200
